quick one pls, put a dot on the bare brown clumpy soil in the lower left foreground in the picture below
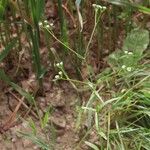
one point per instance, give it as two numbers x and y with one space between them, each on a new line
63 100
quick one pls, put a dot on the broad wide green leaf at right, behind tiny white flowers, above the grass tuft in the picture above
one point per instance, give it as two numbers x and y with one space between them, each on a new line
134 45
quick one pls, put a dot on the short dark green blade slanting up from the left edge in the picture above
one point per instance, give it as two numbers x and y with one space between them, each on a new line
7 49
